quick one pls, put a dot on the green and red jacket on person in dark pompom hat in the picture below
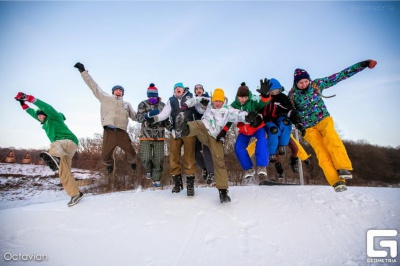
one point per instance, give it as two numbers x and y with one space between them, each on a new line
253 103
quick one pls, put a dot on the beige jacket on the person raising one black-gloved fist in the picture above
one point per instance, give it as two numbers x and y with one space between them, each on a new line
114 111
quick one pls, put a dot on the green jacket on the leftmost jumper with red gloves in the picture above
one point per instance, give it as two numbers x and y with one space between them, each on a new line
53 125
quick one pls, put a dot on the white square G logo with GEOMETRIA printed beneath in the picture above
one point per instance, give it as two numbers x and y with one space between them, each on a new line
381 244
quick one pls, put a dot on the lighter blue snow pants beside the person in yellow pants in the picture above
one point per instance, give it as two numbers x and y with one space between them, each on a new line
282 136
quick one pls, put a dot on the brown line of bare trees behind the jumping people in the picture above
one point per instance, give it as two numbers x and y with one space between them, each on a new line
373 165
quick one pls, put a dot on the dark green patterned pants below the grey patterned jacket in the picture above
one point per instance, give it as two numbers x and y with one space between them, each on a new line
152 156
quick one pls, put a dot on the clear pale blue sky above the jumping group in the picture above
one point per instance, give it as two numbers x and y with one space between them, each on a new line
217 44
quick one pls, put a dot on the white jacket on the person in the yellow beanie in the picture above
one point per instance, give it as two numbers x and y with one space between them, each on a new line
215 119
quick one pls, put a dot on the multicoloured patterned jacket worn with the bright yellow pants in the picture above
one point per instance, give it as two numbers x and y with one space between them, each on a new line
309 102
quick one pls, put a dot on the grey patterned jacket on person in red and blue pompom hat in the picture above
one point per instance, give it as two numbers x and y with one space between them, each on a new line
155 131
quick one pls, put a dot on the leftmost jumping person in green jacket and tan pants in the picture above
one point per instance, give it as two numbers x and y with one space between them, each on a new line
63 143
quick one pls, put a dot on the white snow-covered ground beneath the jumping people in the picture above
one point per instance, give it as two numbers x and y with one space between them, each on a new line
281 225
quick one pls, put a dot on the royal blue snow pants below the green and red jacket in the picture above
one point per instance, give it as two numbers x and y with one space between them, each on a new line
262 154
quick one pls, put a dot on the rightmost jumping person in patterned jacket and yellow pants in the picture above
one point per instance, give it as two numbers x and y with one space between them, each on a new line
306 97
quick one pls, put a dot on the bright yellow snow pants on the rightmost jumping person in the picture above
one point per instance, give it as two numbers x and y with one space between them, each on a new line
329 149
